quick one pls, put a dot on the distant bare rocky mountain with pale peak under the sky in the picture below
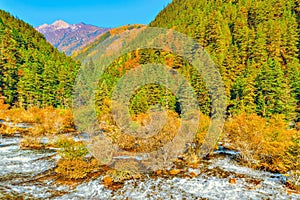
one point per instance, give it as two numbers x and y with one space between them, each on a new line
69 38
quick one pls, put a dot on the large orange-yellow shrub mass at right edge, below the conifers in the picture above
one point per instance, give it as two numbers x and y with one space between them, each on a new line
263 143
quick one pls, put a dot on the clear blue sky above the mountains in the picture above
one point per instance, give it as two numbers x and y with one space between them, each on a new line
103 13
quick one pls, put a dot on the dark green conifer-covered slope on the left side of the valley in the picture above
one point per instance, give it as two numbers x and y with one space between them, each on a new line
32 72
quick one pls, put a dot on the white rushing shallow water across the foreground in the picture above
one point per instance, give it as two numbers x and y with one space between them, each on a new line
22 172
